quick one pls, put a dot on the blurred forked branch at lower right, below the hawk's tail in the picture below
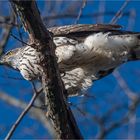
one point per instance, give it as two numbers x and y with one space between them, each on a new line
135 101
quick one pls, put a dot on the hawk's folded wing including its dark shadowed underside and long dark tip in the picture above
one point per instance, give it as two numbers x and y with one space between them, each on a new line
80 31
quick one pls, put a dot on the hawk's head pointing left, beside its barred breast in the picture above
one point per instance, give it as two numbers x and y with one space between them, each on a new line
10 58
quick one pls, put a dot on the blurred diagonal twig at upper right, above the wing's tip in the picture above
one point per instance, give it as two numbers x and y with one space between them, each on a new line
119 13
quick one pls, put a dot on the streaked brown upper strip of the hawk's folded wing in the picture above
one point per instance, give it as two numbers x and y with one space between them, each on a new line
82 28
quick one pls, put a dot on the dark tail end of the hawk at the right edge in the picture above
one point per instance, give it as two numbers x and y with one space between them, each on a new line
135 51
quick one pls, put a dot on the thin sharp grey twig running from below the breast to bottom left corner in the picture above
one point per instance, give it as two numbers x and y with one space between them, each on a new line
25 111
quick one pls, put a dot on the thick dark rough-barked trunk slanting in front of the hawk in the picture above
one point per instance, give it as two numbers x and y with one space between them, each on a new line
58 111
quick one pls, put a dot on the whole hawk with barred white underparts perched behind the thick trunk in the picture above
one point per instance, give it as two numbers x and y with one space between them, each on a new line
85 52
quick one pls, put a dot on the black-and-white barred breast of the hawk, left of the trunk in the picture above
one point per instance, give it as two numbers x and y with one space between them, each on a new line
29 63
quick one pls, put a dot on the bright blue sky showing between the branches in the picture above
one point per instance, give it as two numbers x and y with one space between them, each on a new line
107 91
